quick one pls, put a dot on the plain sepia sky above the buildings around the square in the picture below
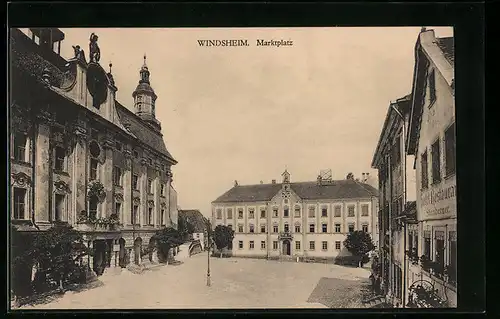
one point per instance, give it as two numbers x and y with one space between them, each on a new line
247 113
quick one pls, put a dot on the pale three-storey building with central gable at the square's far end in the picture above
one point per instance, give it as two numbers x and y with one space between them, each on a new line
296 219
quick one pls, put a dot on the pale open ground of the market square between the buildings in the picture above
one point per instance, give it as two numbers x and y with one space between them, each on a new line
236 283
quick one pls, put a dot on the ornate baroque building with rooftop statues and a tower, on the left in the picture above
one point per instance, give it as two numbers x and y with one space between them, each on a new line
80 157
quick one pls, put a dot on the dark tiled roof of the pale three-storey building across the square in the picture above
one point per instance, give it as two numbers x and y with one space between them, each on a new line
339 189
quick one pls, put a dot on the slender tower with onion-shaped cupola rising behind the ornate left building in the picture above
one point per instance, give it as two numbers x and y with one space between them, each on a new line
145 99
